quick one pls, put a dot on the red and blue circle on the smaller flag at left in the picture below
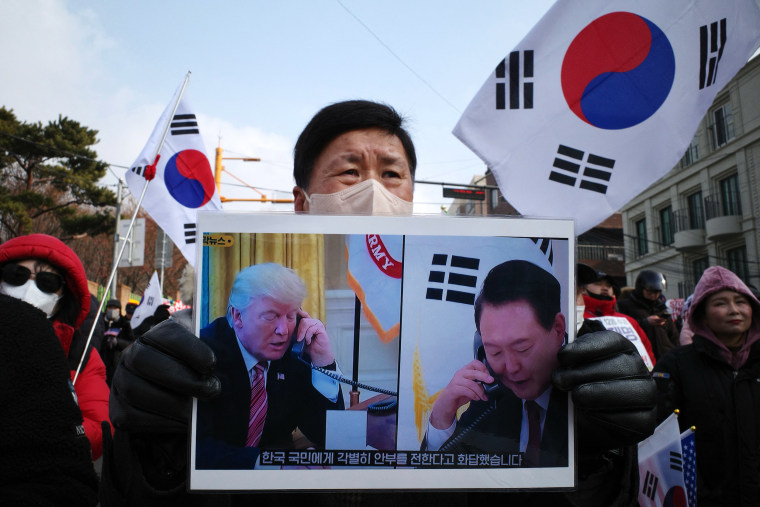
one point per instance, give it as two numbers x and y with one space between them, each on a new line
188 178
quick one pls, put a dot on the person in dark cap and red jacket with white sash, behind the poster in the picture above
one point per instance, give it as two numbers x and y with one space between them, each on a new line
598 292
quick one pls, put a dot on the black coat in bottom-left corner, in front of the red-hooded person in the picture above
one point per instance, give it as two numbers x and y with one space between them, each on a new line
44 454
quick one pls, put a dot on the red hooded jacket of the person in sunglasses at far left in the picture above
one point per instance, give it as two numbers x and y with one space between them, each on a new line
91 389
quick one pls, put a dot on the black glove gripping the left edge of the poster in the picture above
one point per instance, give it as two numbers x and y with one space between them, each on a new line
158 376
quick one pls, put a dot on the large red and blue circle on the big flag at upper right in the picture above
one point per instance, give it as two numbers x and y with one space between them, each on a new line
618 71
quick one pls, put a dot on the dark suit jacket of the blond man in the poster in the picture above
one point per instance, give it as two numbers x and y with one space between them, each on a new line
292 401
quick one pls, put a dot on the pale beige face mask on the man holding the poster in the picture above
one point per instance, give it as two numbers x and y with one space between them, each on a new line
369 197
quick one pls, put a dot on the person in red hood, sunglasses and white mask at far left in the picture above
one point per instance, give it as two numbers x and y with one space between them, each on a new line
42 271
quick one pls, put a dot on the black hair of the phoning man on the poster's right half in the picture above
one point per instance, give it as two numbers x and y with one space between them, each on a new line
521 281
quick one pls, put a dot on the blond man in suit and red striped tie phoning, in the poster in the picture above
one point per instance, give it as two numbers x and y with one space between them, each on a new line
266 392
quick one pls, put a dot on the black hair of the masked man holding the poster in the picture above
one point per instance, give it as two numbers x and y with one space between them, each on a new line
339 118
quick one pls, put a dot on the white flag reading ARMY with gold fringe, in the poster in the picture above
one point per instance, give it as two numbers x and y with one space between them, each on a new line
374 274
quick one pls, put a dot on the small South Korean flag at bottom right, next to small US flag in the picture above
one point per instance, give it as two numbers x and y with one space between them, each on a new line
661 465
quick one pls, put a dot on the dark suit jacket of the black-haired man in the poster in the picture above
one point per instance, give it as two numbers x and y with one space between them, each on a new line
498 430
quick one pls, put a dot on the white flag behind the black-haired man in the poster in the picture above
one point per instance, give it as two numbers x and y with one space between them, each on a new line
438 322
